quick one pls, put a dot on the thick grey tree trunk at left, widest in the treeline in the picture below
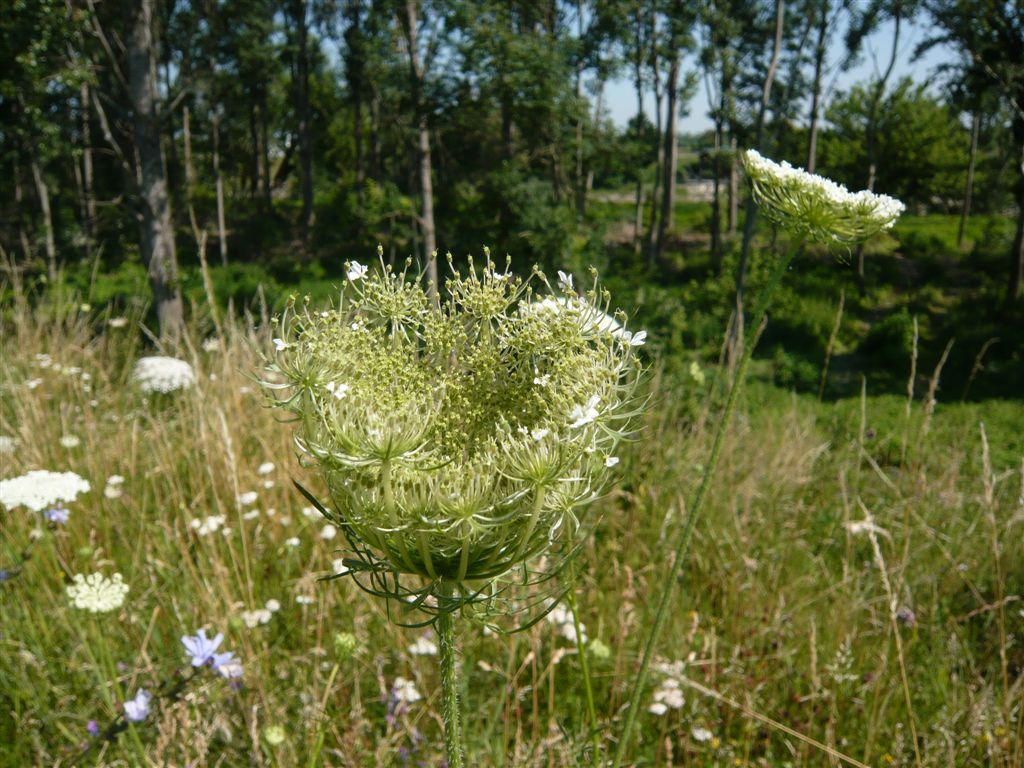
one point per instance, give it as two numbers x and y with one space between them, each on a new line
157 233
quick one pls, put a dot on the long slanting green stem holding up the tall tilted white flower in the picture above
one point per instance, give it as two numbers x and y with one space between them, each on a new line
696 510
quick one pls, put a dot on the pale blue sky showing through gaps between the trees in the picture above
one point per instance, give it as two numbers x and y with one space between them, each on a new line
622 103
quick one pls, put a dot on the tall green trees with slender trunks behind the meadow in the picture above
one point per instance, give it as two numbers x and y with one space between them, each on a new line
301 133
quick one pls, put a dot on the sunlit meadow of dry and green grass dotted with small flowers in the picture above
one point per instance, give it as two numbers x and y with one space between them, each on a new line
852 595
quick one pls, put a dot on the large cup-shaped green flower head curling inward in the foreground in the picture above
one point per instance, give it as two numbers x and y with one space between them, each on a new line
461 435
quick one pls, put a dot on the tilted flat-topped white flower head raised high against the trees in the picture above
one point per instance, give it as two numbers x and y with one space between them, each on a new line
817 206
